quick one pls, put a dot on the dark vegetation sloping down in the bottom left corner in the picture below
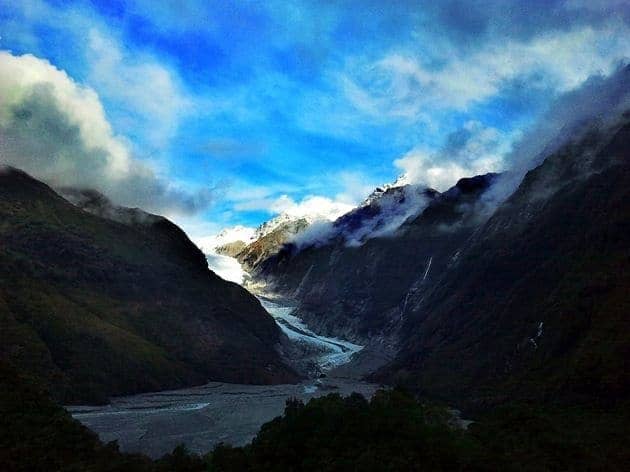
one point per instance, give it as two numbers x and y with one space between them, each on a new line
38 435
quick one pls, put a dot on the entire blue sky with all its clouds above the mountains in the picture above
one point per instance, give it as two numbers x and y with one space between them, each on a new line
224 113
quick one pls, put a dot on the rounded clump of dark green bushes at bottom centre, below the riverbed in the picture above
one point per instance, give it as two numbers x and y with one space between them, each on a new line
392 432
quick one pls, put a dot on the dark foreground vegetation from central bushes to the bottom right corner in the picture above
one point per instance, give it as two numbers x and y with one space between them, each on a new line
394 432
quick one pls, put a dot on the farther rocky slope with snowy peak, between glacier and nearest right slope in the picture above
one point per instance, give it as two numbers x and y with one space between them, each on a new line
361 291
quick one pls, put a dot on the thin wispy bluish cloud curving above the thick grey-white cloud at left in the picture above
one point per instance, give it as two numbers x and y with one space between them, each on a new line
142 93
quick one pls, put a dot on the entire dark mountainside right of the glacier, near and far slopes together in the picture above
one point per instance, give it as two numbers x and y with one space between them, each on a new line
475 303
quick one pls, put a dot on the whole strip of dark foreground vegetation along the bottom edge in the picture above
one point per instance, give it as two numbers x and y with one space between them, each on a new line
392 432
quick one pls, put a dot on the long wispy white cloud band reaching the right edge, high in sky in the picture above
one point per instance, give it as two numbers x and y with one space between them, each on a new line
403 85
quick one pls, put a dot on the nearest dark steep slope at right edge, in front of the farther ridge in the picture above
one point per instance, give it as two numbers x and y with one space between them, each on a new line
537 304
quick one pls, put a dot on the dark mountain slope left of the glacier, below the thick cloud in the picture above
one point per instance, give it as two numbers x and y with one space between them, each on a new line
109 301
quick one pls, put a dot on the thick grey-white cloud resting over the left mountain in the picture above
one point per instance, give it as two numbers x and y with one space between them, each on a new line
57 130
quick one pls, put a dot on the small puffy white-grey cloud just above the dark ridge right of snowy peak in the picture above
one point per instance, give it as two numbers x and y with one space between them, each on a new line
474 149
